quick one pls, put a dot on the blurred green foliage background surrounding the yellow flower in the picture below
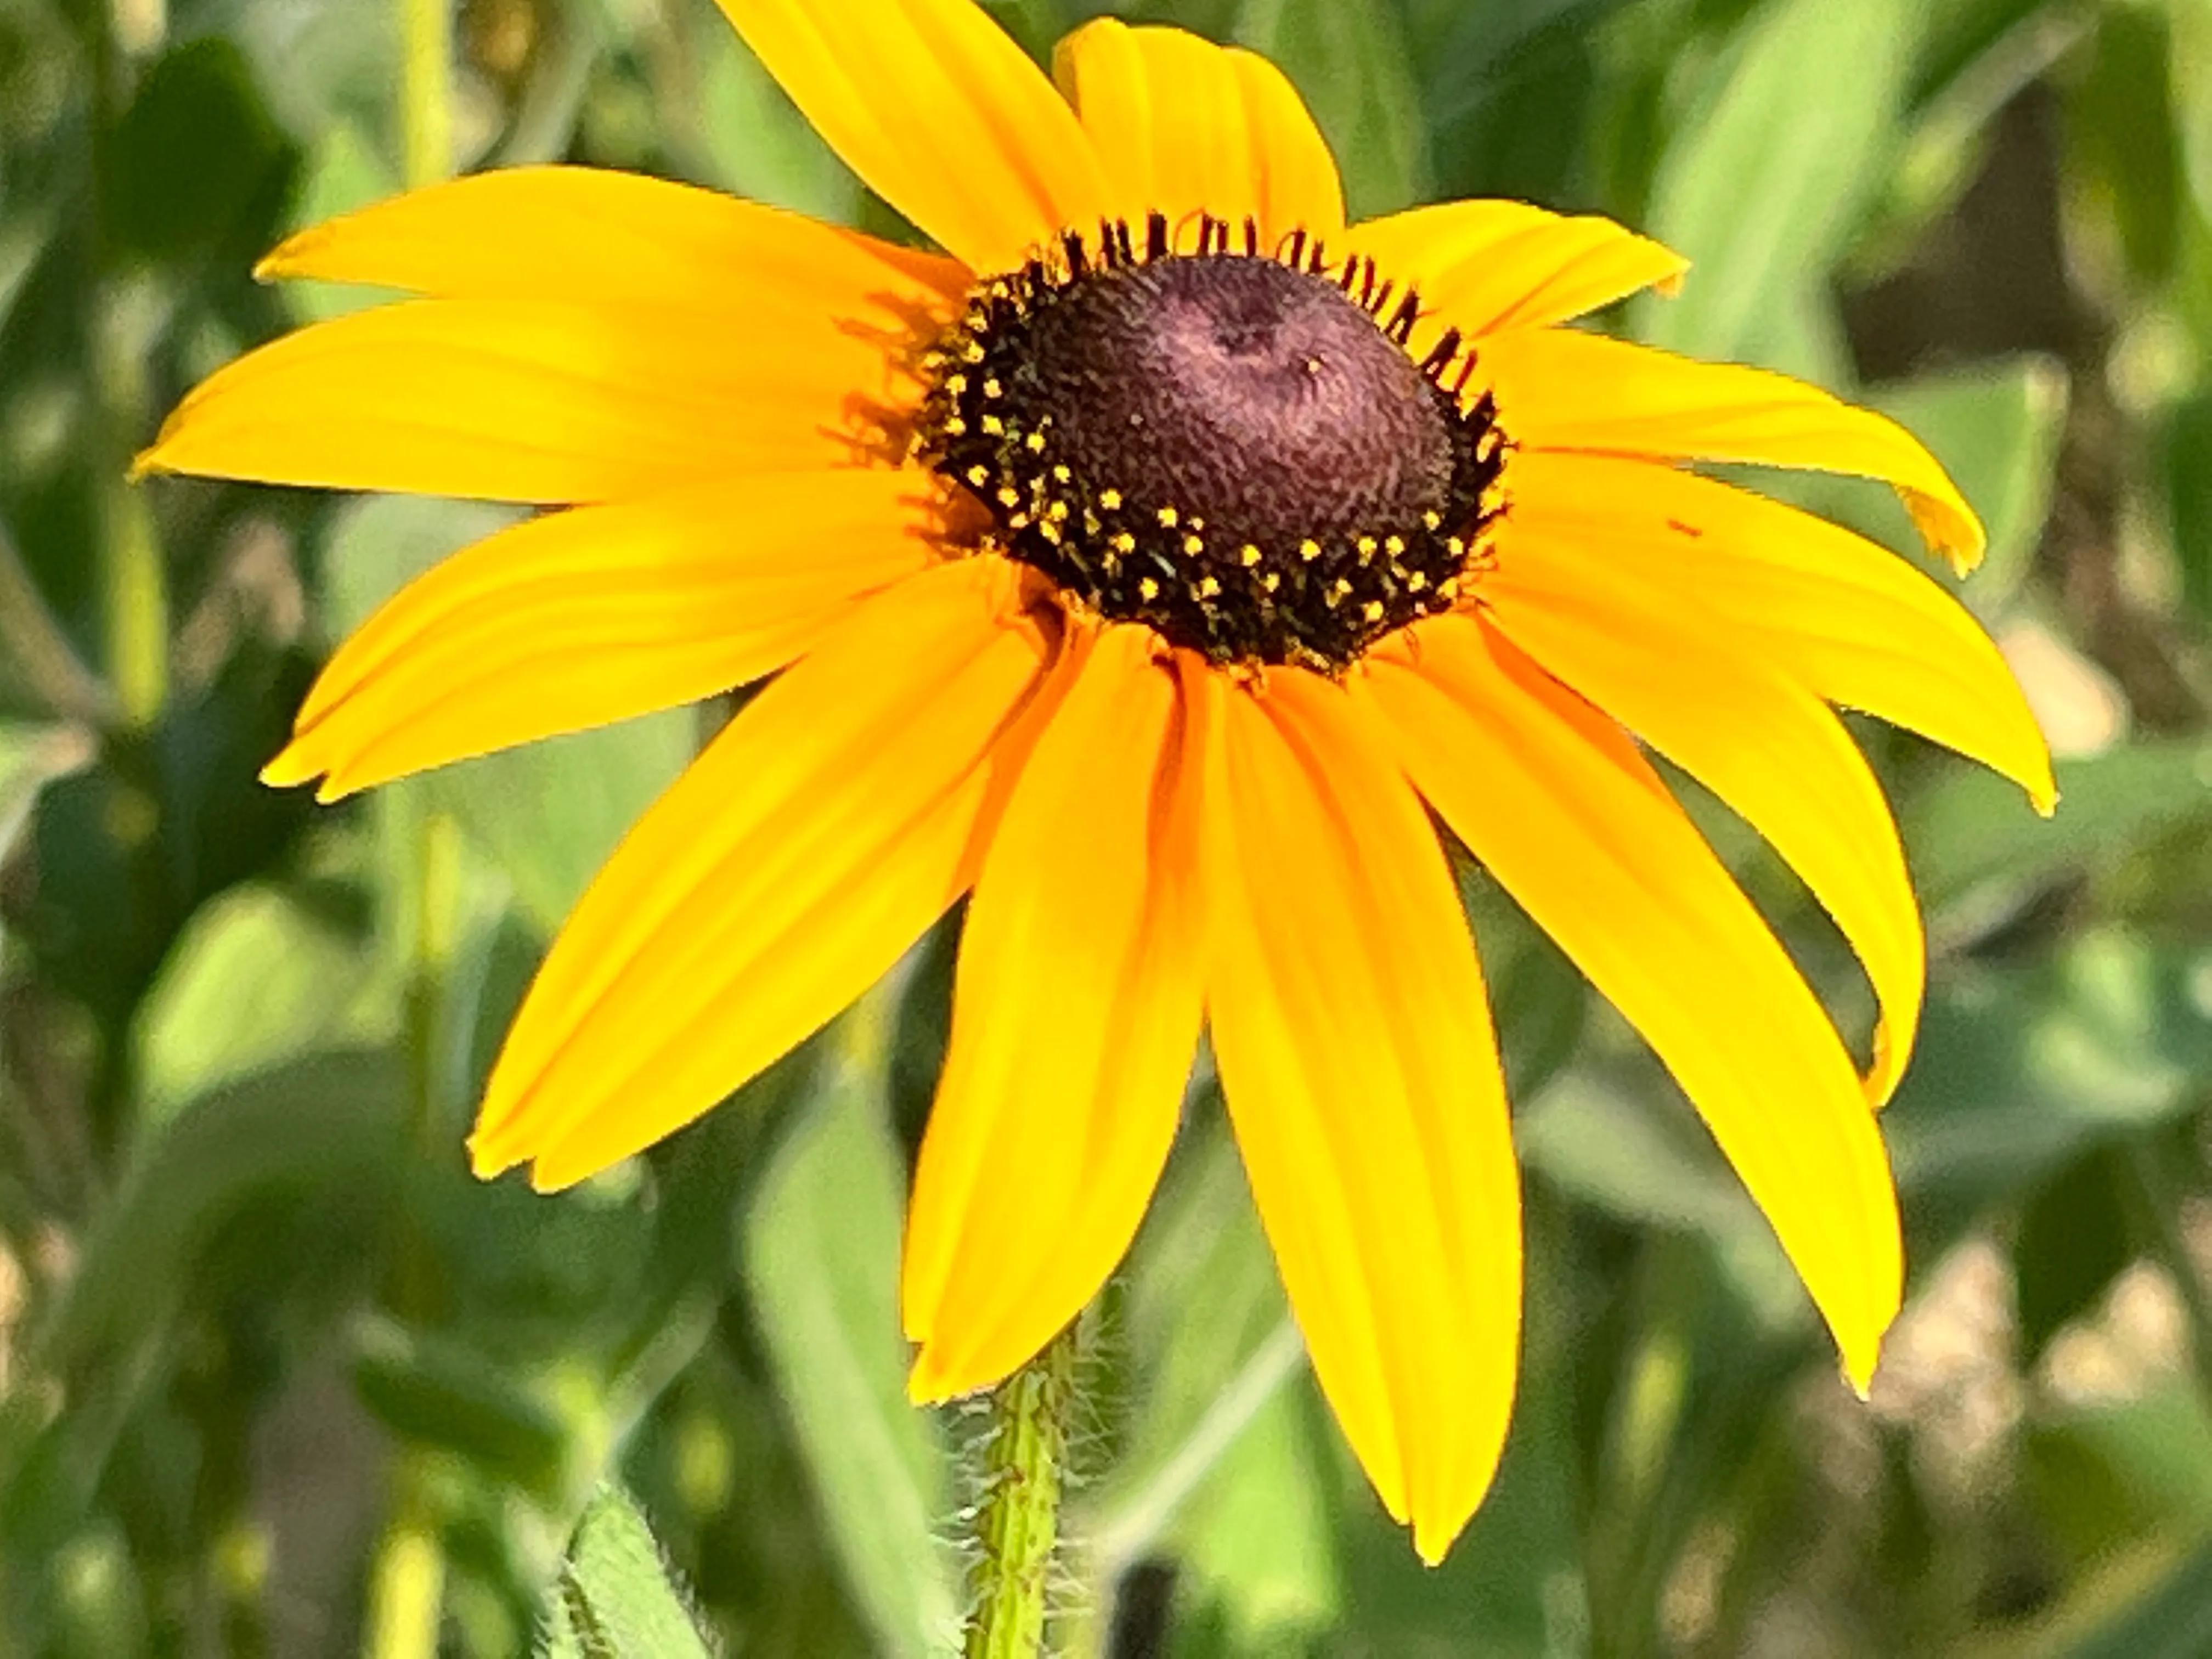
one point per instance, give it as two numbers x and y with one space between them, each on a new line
280 1379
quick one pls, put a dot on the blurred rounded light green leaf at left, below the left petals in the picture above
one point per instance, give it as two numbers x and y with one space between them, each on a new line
255 979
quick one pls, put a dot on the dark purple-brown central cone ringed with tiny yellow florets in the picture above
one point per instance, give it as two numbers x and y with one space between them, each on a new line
1204 444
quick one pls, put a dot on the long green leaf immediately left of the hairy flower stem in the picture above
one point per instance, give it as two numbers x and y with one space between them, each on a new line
822 1260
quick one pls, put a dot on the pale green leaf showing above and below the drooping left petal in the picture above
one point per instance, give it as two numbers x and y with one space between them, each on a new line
547 813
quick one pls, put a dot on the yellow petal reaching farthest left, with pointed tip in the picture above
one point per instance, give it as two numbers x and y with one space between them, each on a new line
541 401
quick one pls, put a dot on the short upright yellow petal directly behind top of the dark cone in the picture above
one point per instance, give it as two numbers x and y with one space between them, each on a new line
1187 129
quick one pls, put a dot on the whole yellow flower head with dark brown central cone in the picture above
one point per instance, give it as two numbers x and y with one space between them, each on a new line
1142 565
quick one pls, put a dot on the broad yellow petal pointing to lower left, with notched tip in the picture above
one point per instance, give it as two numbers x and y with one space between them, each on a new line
833 822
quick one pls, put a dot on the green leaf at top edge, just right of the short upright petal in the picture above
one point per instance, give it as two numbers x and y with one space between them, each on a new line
1357 76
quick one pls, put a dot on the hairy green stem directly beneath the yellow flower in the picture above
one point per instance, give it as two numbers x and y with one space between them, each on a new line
1019 1514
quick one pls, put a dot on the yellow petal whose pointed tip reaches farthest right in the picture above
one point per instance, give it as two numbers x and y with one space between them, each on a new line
1839 614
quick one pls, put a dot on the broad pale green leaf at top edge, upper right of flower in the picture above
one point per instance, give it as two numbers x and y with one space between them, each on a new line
1762 187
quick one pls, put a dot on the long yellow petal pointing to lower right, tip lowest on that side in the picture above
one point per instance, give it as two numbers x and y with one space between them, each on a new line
1569 817
